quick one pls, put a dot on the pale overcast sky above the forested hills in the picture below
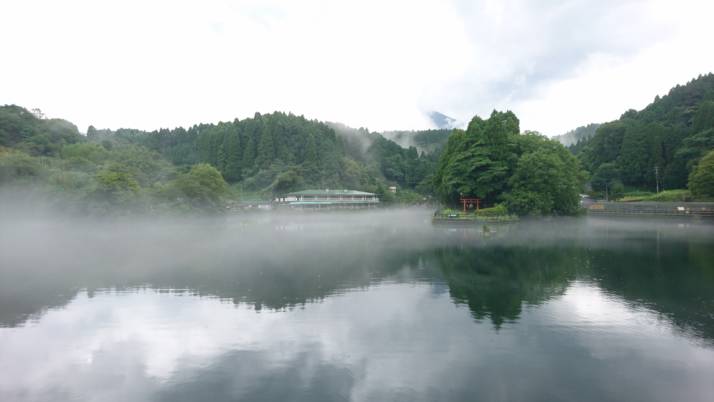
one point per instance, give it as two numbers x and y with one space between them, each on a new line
377 64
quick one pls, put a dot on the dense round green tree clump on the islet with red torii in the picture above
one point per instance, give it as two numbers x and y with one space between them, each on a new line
493 161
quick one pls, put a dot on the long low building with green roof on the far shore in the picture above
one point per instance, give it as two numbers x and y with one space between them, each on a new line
334 199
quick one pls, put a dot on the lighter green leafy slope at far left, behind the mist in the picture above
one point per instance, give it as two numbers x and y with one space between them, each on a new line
48 161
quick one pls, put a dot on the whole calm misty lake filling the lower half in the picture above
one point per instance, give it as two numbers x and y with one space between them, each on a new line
363 306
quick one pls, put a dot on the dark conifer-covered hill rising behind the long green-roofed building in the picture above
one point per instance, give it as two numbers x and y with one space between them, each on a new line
282 152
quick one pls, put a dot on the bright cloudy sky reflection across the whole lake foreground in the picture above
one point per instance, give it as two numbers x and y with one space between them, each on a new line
358 345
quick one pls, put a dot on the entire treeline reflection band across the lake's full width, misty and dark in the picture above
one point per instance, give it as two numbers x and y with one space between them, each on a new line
274 262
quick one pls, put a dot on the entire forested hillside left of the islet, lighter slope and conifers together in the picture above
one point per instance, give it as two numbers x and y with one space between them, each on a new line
193 168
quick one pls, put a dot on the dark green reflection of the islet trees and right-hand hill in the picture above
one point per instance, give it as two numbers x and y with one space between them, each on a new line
673 278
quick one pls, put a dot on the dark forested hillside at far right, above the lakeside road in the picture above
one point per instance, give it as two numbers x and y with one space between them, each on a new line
660 144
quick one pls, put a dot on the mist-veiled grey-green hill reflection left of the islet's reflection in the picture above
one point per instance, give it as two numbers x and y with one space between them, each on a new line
268 261
